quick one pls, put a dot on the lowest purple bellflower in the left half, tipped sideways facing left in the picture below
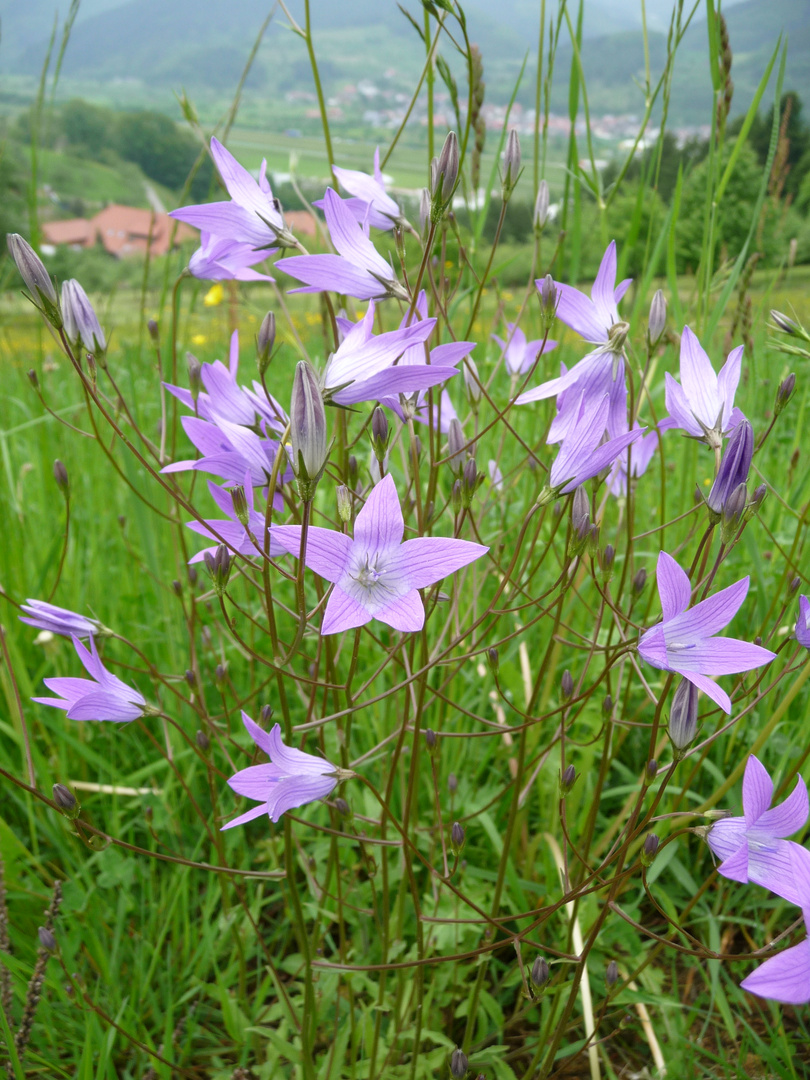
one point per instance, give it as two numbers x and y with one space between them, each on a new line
291 779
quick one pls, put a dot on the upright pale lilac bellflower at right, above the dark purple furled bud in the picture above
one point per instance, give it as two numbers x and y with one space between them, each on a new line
703 404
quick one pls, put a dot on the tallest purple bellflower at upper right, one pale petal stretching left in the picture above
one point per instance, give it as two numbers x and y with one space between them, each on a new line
597 320
